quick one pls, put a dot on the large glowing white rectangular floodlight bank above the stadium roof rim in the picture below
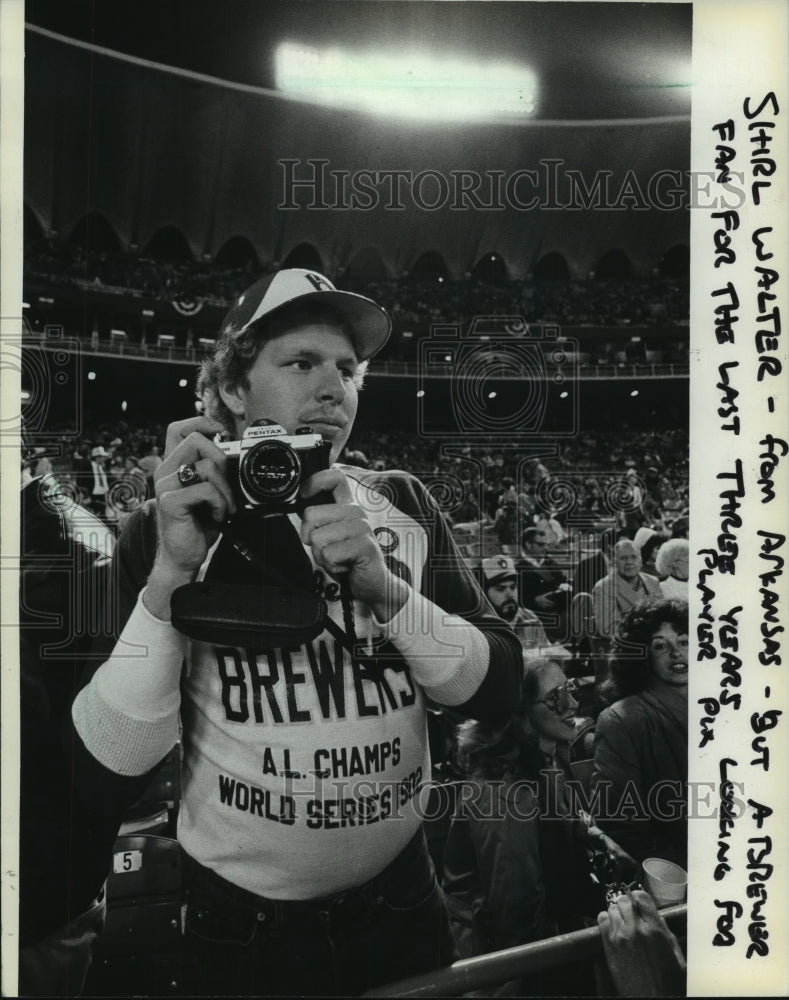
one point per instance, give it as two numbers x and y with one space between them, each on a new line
406 85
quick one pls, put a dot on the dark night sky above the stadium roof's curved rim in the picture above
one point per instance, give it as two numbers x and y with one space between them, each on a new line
593 60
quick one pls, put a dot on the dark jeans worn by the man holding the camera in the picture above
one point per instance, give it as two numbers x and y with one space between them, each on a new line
240 944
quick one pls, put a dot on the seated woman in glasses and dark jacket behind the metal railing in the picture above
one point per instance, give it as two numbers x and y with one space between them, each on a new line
517 859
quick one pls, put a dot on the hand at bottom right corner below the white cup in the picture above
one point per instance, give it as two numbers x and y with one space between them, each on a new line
643 956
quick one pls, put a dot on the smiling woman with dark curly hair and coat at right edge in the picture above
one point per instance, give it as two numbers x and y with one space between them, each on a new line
641 740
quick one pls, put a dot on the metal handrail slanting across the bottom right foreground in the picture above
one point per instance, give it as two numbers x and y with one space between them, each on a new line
514 963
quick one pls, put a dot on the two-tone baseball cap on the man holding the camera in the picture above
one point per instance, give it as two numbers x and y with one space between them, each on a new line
368 322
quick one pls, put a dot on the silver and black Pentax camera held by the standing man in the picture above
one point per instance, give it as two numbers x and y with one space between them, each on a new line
267 466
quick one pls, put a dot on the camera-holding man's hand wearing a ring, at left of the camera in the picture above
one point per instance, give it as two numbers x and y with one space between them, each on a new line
188 517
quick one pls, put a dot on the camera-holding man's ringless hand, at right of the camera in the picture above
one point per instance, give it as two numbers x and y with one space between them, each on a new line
342 541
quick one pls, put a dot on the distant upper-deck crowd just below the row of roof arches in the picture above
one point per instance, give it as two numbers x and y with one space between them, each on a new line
413 300
